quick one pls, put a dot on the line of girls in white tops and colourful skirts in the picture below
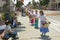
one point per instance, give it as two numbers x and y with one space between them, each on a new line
34 20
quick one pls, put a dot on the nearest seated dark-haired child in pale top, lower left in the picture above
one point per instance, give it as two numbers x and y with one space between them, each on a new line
9 32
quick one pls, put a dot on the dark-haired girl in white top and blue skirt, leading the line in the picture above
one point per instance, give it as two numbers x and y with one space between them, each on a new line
43 19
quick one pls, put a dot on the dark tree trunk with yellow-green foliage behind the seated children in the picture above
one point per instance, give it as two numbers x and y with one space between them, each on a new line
7 13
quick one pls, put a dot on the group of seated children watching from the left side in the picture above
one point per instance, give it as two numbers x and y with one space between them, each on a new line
9 30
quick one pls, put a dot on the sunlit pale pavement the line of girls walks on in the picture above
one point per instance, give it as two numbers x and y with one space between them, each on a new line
28 32
